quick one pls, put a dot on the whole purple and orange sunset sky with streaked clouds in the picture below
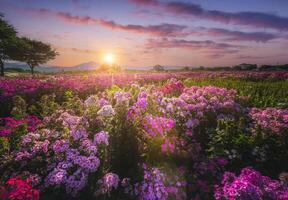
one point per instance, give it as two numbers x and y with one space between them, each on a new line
141 33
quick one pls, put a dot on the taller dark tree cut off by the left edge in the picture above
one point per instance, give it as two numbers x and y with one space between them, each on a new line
8 42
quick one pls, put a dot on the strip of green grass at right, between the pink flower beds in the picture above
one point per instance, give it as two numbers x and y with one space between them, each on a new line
261 93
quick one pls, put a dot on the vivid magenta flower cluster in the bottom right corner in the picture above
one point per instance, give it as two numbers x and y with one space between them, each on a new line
250 184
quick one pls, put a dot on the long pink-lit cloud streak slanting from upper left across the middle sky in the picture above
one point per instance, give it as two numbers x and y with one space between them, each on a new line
160 30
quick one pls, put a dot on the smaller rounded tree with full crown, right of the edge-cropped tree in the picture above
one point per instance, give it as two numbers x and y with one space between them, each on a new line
35 53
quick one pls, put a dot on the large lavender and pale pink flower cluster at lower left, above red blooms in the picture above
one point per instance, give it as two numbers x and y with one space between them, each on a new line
70 158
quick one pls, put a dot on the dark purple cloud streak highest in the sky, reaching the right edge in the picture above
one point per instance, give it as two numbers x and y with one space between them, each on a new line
251 19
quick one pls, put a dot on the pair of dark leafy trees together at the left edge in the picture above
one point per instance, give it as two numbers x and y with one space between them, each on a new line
22 49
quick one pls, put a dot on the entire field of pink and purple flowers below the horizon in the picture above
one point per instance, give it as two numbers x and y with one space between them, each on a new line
146 136
